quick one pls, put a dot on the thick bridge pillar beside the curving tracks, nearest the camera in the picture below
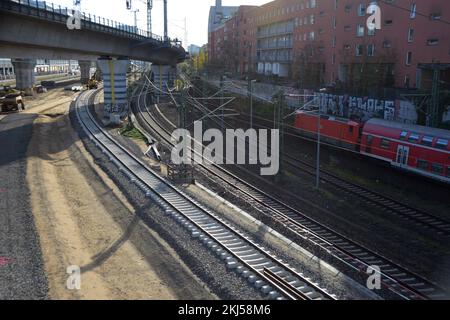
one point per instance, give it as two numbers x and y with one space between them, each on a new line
115 87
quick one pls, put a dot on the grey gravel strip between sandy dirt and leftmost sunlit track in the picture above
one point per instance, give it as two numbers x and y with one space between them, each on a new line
202 262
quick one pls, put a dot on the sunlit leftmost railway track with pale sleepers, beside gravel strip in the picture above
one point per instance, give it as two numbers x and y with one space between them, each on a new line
241 254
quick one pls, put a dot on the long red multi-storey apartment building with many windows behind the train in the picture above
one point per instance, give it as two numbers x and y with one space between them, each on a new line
329 40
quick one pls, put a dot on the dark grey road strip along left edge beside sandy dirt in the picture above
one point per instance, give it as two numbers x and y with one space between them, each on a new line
21 267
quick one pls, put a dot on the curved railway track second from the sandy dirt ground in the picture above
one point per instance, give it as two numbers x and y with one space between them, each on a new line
395 278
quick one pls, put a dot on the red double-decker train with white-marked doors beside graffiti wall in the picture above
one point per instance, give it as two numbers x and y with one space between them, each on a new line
418 149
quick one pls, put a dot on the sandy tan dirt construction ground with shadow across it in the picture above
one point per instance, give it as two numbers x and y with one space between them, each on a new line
82 219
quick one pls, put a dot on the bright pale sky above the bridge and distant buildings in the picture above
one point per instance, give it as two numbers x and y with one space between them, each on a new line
195 11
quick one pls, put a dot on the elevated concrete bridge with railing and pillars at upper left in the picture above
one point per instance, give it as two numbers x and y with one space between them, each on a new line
33 29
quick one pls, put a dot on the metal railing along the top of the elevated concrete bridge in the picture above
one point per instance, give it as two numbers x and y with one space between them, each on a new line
49 11
